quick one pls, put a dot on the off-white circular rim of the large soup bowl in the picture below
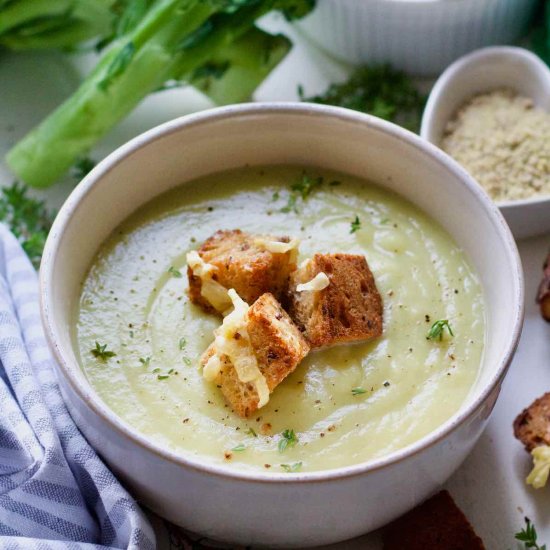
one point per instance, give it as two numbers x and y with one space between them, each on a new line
92 400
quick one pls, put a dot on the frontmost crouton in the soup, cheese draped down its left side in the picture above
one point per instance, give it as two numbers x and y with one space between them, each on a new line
255 349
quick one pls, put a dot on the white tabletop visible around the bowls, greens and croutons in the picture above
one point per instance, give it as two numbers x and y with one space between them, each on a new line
489 486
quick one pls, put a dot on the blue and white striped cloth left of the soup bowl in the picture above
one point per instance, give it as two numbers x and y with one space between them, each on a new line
55 492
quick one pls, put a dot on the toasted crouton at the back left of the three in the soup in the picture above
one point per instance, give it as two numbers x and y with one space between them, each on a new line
251 264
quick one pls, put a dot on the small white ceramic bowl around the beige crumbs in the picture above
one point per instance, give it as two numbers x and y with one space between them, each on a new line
481 71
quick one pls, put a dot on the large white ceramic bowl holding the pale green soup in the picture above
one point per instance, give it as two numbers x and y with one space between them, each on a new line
300 509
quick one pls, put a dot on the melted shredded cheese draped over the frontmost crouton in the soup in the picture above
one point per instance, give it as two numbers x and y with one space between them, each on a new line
232 340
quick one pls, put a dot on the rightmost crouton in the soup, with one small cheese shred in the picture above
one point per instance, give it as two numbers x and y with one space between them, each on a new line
333 299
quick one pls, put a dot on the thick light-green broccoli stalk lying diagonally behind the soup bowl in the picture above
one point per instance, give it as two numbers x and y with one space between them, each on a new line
172 41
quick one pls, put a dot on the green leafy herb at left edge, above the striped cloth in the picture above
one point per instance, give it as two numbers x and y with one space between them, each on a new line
28 219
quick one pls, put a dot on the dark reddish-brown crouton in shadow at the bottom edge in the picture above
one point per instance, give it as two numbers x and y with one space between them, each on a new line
437 524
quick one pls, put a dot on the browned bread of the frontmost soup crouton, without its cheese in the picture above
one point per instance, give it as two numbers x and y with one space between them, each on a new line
278 346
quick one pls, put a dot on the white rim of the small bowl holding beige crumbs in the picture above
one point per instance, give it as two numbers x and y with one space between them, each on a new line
453 71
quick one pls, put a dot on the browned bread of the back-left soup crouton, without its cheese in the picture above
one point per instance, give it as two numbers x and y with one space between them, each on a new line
243 265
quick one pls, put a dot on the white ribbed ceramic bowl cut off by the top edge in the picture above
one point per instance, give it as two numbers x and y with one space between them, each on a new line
418 36
